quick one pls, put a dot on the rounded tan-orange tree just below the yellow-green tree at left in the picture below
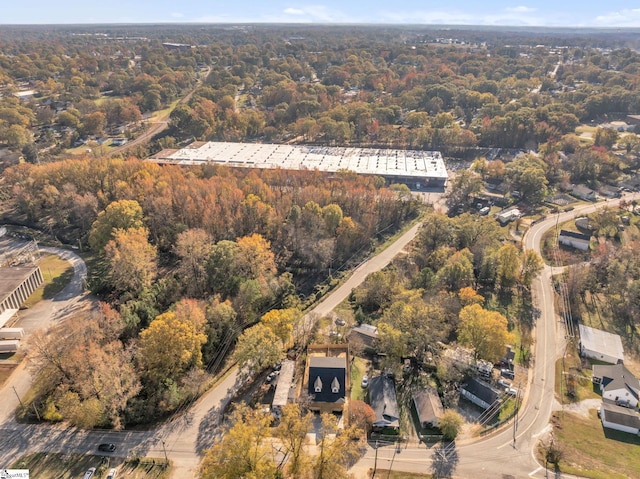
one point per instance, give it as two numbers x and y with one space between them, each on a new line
131 261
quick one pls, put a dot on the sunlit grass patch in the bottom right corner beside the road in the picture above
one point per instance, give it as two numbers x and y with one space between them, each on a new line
591 451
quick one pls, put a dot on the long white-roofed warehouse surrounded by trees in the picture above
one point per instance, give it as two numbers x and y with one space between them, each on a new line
413 167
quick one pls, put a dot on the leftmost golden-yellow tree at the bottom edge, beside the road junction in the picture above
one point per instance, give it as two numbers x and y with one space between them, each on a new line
242 450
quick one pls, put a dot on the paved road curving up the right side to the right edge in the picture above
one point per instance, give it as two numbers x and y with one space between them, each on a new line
499 456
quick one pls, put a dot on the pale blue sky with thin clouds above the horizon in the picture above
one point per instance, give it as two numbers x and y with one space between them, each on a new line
549 13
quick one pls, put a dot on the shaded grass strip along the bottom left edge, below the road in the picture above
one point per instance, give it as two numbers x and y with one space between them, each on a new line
63 466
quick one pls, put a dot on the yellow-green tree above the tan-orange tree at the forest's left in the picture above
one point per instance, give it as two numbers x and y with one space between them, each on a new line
123 214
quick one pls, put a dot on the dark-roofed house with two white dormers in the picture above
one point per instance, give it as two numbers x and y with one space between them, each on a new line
326 378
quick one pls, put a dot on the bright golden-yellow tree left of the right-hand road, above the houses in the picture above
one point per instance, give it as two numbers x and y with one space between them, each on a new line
484 331
